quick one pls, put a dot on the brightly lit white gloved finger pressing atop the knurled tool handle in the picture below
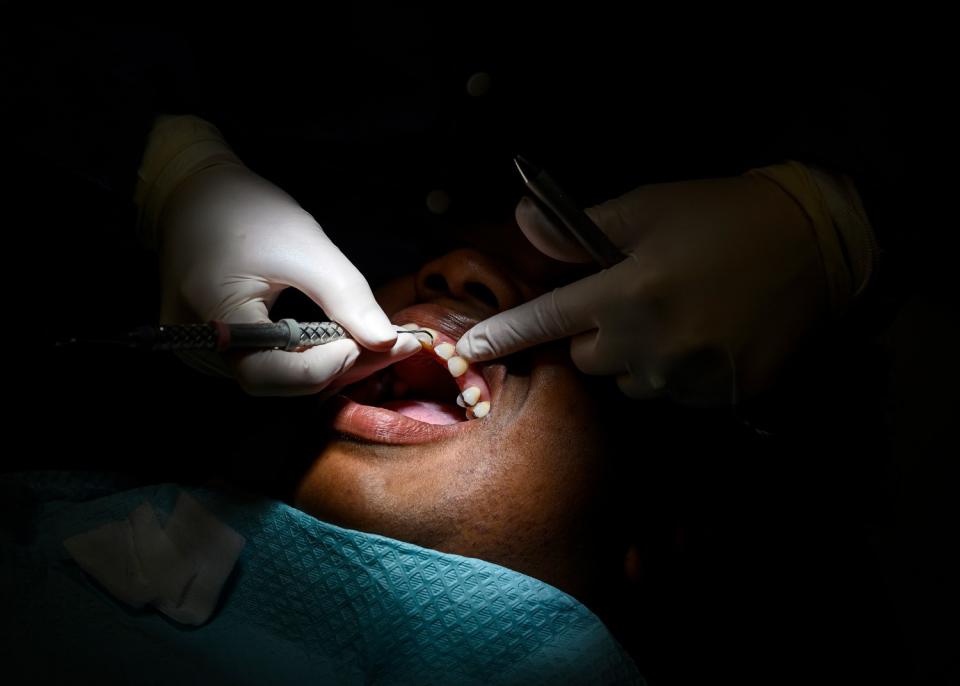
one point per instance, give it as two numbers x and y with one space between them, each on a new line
324 273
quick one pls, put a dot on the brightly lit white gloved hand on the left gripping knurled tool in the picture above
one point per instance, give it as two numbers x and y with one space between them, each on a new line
230 242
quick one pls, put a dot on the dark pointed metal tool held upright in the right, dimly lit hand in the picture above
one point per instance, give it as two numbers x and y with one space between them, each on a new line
571 217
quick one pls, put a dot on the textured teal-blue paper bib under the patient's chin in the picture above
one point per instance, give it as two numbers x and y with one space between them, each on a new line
308 603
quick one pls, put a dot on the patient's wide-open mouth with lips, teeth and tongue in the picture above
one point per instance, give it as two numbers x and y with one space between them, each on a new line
430 395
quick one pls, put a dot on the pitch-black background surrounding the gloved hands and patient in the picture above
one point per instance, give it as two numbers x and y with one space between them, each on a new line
818 552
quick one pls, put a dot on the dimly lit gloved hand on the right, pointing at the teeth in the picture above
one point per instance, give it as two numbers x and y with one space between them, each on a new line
723 279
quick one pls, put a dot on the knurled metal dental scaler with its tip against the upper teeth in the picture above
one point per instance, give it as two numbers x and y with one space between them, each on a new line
287 334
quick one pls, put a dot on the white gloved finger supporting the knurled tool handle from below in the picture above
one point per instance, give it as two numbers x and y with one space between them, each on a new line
278 372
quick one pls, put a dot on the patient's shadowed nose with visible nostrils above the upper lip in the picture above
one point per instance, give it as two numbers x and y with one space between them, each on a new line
470 277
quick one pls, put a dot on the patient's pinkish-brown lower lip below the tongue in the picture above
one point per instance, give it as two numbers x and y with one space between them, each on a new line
380 425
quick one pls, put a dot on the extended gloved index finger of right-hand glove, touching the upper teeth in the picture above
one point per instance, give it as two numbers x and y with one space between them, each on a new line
563 312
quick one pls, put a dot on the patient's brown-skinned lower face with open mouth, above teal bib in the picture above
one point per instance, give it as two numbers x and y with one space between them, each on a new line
517 486
